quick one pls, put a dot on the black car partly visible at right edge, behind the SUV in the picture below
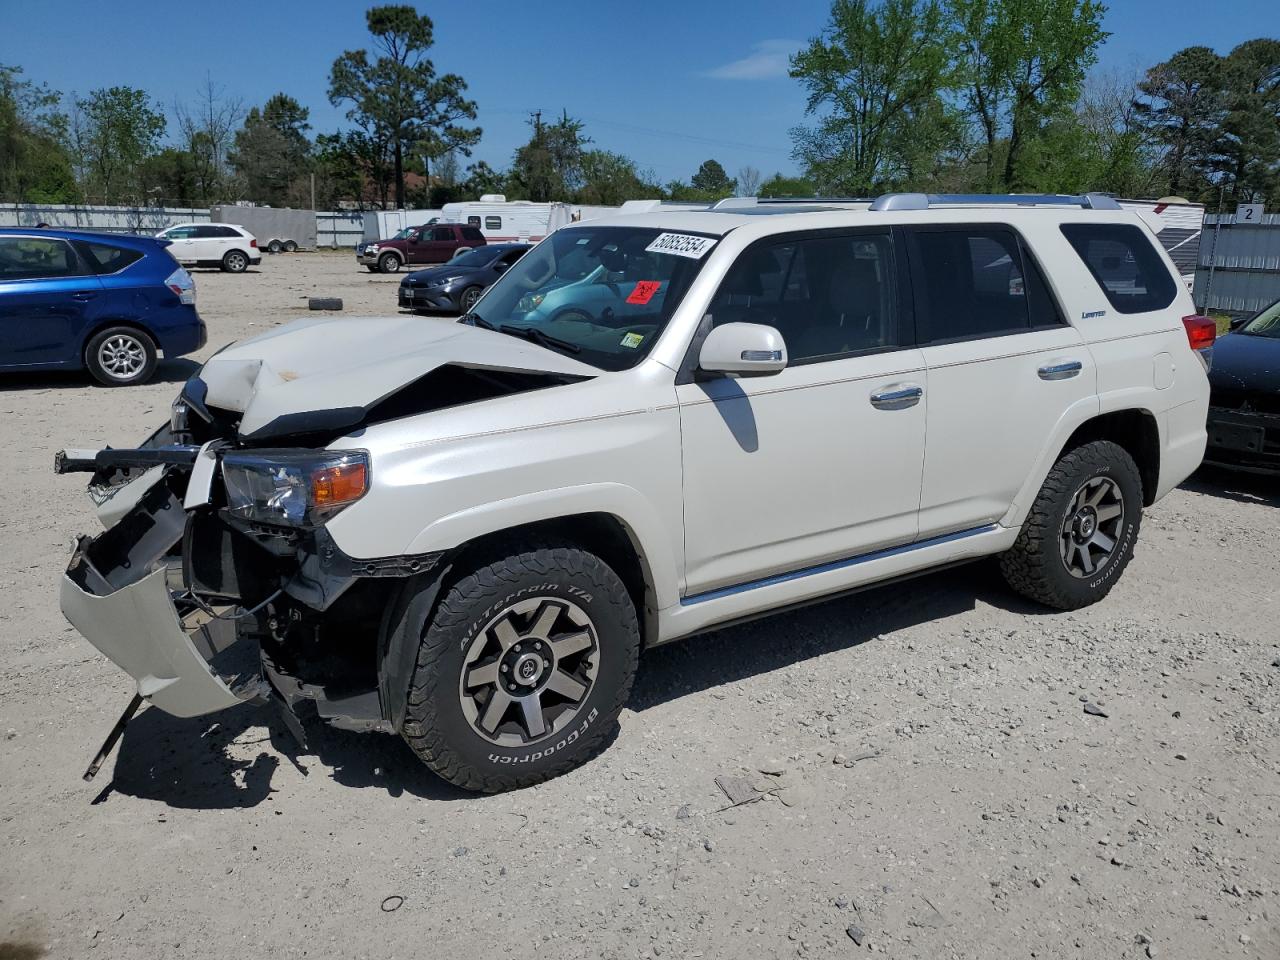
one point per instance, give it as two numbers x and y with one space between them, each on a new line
1245 399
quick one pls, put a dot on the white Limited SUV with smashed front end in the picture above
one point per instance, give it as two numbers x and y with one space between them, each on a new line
650 427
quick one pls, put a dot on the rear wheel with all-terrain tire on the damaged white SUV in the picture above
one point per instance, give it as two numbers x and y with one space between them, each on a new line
1081 532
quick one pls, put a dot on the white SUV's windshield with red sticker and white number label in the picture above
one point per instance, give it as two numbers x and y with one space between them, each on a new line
600 294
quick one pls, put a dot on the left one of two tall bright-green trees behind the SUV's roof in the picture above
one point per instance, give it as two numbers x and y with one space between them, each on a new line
874 77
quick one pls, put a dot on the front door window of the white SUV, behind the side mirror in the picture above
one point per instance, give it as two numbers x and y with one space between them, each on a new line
829 296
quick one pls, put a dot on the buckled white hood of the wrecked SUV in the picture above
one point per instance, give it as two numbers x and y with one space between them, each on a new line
326 374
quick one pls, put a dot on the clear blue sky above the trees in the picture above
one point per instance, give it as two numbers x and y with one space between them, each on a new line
669 84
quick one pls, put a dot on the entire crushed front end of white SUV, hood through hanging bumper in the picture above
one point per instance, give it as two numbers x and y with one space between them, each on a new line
217 580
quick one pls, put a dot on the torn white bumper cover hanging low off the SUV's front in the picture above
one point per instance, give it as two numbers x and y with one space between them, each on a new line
139 630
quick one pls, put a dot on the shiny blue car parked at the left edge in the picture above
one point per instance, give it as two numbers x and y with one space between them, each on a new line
104 303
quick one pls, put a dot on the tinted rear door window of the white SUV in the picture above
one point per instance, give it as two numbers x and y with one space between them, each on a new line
975 282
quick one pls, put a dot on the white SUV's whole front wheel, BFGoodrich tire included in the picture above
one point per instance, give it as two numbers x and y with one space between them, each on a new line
523 670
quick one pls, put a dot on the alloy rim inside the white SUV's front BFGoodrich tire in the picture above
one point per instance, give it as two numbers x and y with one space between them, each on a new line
528 674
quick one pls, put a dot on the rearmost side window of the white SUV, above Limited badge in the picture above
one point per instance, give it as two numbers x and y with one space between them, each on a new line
1126 266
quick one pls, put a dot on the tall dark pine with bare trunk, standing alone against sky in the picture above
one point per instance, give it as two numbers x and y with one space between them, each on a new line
397 98
